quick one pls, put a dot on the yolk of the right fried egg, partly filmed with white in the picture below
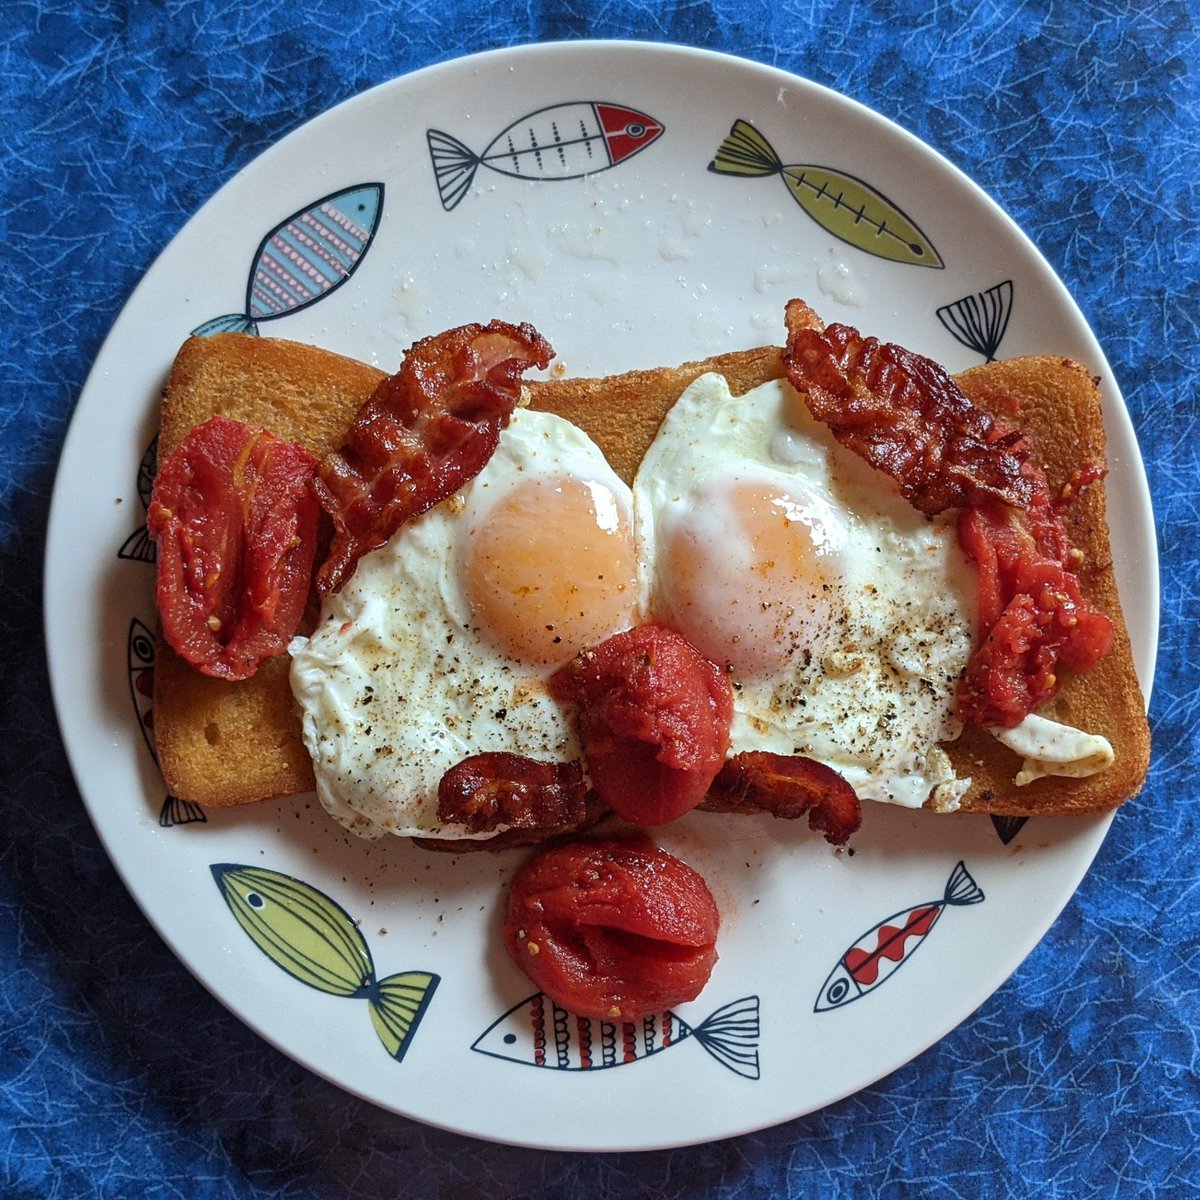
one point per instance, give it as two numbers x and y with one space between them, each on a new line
747 578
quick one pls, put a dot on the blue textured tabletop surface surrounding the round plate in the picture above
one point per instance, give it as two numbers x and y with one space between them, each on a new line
121 1077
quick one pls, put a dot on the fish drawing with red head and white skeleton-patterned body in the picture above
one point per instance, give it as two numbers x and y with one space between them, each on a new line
561 142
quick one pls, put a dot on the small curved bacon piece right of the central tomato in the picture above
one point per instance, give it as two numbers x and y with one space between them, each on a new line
788 787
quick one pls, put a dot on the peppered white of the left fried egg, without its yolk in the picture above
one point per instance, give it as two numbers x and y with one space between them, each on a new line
398 685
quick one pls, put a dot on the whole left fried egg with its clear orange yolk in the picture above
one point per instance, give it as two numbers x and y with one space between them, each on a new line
441 645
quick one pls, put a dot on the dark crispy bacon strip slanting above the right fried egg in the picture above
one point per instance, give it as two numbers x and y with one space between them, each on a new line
905 416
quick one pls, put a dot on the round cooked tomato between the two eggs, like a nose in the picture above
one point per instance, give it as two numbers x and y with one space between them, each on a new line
655 722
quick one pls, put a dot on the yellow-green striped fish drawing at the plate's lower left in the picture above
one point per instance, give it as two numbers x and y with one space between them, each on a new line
315 940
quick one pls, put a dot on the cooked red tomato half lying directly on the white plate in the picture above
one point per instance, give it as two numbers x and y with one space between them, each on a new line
614 928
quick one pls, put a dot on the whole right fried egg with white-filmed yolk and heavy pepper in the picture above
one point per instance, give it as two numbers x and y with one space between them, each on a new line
843 615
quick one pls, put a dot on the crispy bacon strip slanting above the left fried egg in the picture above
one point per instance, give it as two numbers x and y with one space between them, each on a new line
423 435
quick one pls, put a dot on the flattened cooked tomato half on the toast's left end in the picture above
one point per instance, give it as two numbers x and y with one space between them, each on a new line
236 523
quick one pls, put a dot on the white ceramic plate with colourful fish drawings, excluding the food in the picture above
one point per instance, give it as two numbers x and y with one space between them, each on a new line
651 260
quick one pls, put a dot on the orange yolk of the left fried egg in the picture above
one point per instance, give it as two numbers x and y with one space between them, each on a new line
551 569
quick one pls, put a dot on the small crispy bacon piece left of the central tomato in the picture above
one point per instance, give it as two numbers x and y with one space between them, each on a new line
490 790
